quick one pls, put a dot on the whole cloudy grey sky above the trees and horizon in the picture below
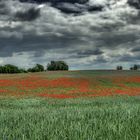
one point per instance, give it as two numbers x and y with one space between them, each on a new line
87 34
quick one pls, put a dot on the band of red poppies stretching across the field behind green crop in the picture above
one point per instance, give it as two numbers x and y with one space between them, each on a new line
70 86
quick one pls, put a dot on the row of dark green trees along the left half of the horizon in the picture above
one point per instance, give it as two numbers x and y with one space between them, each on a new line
52 66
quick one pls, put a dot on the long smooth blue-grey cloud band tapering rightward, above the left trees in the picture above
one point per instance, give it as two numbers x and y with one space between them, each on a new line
38 44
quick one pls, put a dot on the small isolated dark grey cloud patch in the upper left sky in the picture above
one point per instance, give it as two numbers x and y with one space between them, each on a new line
29 15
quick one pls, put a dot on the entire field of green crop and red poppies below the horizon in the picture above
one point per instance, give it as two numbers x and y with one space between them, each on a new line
76 105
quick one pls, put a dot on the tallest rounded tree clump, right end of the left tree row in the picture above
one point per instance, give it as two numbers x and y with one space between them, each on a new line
57 65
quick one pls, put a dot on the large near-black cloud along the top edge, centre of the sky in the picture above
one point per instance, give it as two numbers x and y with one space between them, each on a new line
70 6
